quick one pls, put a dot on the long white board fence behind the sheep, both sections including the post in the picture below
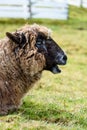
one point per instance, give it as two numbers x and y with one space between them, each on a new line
53 9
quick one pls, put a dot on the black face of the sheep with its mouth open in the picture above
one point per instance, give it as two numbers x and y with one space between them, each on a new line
53 53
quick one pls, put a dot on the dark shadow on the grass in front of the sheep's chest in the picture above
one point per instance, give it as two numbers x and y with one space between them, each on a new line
49 113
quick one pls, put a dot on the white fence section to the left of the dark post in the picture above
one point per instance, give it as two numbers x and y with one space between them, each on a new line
14 8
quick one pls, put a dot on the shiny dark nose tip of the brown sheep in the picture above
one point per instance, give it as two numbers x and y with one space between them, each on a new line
61 59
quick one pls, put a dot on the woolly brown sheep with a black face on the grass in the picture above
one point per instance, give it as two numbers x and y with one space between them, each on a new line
24 54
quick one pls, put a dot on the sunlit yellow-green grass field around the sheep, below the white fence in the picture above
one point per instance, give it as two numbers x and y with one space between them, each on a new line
57 102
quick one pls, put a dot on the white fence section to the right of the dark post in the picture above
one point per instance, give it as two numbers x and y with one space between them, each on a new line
50 9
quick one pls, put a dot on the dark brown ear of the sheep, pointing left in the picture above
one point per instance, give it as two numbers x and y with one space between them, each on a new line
18 38
